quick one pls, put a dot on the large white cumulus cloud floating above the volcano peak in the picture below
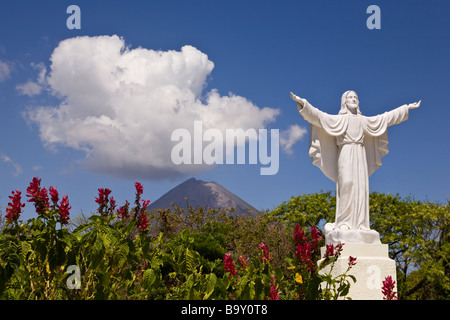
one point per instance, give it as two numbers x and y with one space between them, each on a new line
120 105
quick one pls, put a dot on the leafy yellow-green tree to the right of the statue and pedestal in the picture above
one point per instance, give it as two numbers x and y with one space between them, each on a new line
418 237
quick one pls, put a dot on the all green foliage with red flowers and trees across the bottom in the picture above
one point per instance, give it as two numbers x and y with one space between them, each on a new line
128 252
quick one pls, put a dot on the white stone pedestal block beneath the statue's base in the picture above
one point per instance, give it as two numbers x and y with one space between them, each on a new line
373 265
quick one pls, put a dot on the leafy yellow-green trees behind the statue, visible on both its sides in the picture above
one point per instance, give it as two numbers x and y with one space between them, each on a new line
417 234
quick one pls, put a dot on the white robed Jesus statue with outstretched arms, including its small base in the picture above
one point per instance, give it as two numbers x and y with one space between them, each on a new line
348 148
